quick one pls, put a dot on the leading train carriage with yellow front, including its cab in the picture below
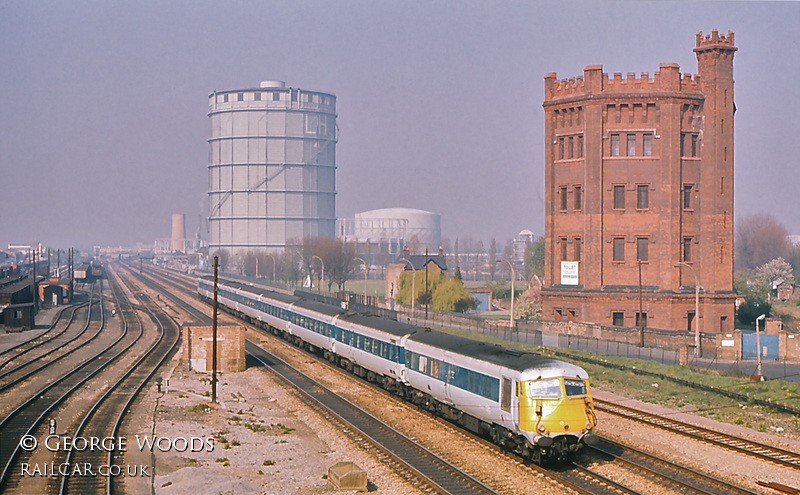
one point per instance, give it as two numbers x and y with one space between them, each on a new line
533 404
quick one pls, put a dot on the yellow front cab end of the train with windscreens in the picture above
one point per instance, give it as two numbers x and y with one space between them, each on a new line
558 414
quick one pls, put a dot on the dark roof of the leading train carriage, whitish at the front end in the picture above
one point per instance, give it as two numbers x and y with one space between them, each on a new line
532 365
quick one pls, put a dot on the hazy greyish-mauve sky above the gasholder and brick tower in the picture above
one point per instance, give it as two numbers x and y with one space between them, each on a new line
103 124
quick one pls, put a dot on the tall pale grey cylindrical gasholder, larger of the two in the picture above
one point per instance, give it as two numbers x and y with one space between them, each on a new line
272 167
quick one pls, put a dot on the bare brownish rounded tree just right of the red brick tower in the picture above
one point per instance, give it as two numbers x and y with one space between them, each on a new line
759 239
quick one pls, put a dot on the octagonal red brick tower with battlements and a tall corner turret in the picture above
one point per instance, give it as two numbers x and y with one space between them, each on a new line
639 173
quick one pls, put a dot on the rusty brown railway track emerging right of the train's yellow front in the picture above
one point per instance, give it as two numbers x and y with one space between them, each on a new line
738 444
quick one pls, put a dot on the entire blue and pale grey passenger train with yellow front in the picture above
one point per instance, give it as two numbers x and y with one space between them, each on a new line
536 406
